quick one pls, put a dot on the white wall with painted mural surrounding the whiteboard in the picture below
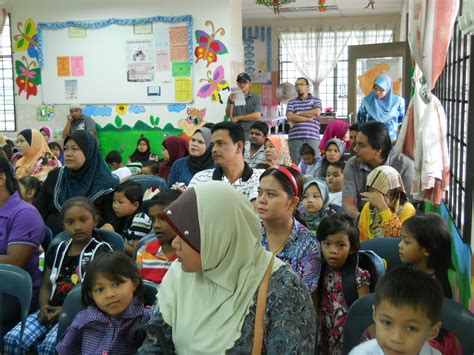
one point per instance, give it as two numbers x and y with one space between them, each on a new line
172 119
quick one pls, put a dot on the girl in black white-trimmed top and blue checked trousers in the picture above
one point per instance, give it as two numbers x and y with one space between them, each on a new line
65 268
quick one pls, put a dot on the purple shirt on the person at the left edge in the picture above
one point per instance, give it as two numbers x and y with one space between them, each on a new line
21 223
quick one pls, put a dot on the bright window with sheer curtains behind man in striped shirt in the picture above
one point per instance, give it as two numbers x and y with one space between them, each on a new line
334 90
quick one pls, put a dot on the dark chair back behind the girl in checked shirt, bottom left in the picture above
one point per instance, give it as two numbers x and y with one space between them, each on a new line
73 304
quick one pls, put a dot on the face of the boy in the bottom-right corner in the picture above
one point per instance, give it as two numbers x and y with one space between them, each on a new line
402 329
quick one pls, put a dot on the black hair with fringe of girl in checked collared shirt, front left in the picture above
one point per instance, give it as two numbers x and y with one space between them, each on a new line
114 266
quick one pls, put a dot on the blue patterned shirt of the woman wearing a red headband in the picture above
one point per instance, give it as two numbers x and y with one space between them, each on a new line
302 252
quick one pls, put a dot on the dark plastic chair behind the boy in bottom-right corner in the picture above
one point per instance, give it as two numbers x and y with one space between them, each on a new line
454 318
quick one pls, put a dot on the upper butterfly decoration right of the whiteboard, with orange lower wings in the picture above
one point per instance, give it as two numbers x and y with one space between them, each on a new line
209 47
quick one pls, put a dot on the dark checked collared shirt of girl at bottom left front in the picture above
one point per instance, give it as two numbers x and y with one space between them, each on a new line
96 333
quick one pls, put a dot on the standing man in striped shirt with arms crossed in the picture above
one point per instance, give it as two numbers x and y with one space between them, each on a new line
303 111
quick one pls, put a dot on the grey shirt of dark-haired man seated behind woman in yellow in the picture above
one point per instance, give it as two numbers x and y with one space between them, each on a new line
355 175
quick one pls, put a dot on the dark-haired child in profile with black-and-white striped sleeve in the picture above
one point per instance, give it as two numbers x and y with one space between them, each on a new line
128 198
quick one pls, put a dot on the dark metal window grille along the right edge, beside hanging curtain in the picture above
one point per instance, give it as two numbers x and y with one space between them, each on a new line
453 91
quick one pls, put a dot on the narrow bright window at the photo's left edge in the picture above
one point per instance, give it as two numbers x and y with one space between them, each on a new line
7 103
